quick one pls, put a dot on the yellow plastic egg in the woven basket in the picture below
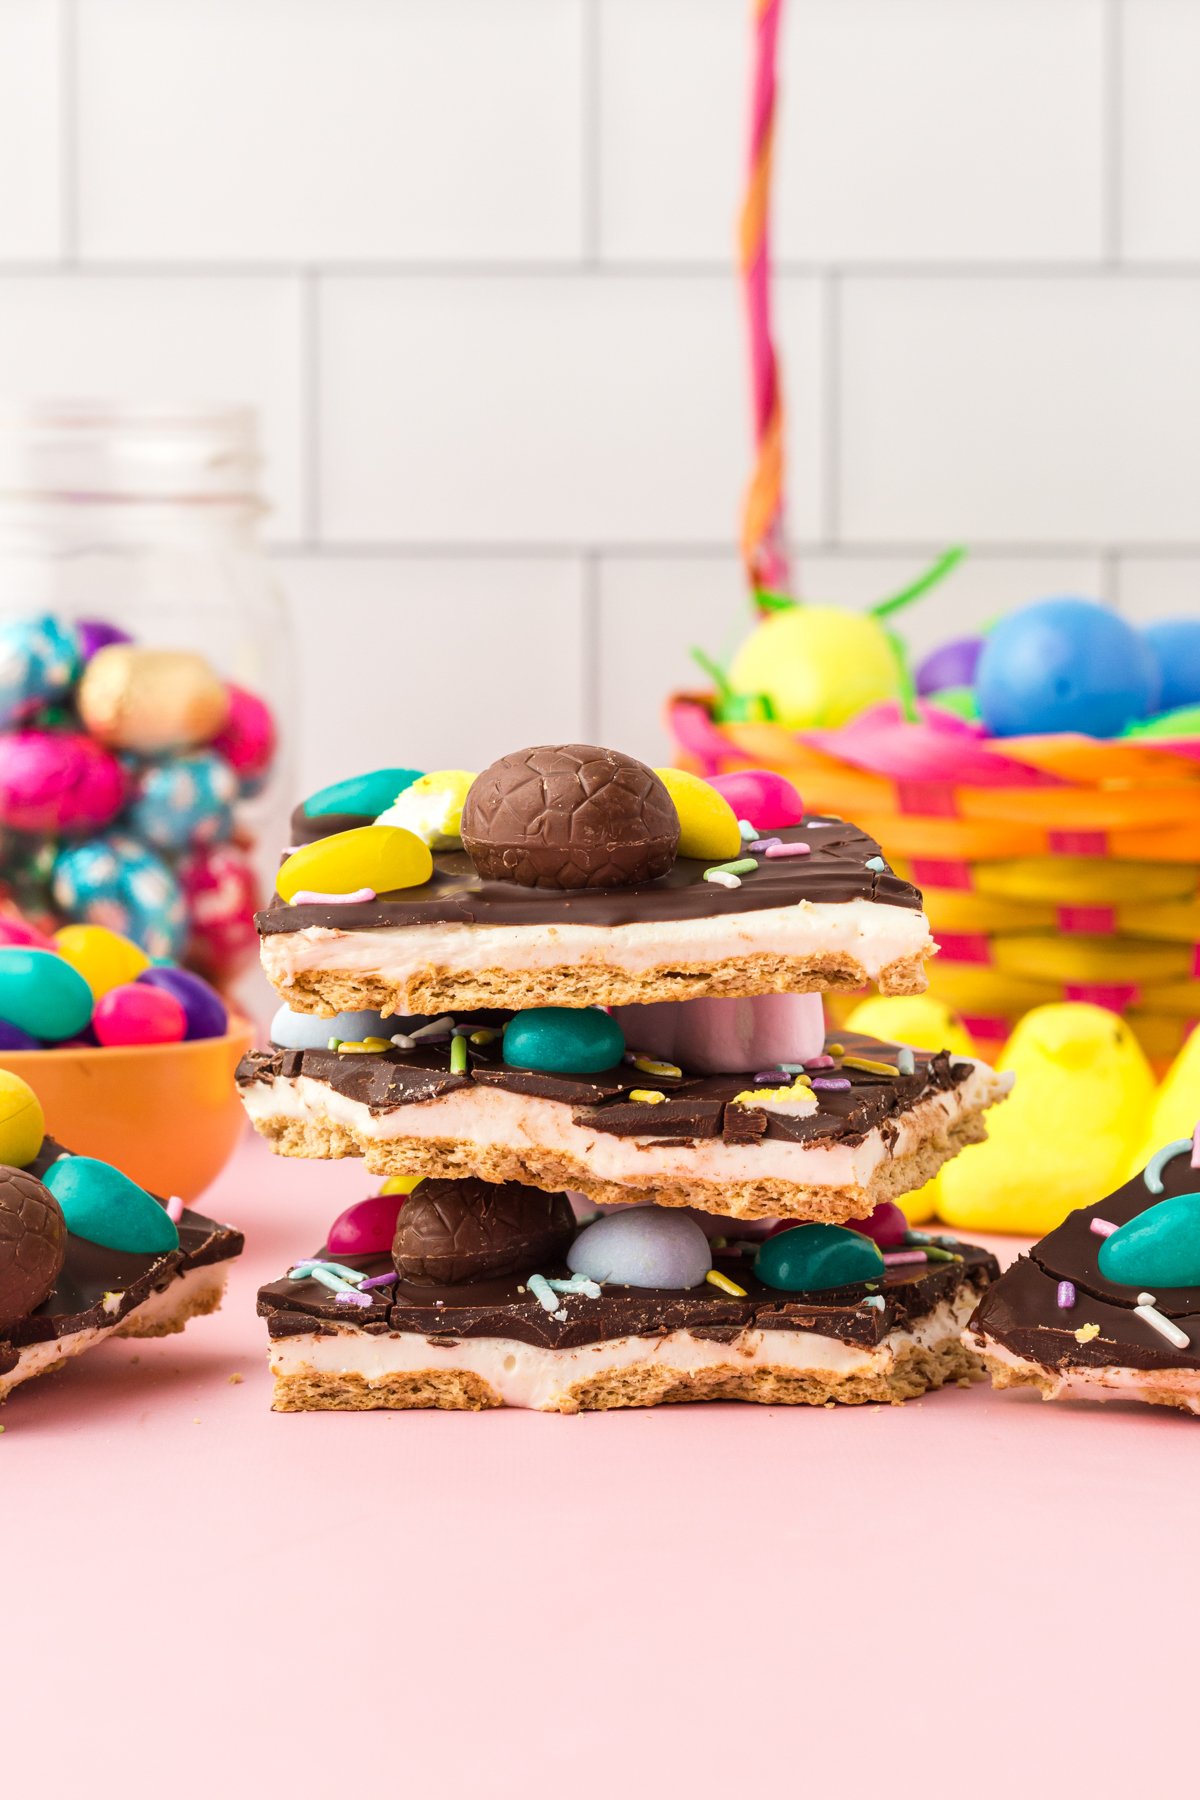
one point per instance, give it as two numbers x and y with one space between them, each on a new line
818 667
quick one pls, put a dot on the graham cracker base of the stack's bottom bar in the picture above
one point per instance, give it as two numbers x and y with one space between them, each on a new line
917 1371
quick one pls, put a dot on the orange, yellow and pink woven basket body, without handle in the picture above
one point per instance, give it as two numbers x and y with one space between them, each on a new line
1053 868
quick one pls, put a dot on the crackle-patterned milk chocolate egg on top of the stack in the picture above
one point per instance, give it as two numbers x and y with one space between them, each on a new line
569 816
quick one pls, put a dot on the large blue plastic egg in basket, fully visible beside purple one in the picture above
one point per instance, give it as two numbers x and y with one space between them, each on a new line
1066 665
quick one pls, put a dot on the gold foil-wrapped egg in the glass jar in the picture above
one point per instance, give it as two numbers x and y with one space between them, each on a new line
150 701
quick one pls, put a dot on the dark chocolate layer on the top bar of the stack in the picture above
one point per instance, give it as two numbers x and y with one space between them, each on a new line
456 895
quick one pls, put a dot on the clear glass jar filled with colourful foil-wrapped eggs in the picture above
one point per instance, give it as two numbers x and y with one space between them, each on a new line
145 665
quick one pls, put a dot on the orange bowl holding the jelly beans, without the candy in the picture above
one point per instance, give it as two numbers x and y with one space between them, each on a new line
168 1115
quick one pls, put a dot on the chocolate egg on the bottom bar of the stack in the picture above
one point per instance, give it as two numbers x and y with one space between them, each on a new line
452 1232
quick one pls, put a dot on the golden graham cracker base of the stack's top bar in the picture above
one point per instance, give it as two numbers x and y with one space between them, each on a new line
438 991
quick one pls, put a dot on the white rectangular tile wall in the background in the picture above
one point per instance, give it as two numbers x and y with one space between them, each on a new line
474 262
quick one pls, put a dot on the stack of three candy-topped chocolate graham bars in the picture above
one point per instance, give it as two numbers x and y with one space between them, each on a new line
580 993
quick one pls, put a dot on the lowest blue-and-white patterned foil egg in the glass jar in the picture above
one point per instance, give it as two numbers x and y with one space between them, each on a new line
120 883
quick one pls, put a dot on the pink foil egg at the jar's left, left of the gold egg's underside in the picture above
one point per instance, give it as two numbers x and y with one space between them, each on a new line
58 784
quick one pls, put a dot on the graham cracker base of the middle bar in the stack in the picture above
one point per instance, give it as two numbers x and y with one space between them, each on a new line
553 1171
